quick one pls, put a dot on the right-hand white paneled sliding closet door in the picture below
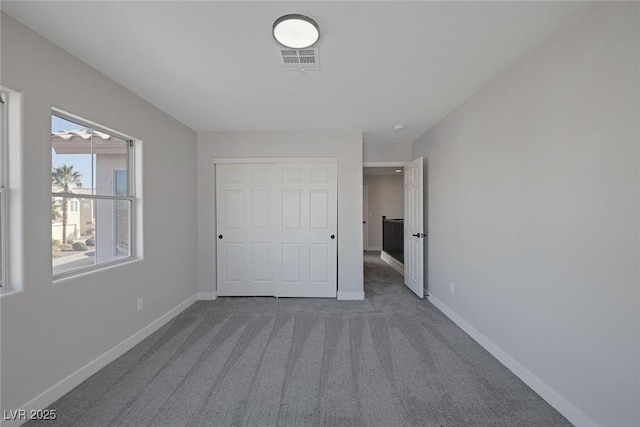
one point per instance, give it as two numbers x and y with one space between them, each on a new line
306 232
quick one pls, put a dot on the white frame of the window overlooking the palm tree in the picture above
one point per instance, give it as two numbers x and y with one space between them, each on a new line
130 197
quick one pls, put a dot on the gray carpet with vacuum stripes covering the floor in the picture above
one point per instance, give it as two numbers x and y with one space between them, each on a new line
391 360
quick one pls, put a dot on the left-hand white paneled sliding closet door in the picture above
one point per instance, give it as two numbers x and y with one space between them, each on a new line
245 229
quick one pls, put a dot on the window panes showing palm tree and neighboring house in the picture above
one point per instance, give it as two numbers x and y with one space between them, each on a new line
92 198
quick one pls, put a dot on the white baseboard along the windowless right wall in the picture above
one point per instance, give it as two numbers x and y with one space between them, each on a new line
555 399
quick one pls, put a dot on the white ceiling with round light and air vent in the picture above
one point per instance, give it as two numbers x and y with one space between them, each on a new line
215 67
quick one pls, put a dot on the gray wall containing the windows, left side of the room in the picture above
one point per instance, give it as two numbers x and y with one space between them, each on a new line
51 330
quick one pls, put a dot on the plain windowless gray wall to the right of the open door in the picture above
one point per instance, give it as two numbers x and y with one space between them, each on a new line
533 214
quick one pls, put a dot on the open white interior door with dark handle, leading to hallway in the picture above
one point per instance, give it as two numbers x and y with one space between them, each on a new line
414 227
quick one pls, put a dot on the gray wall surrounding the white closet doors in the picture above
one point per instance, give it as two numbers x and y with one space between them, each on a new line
345 146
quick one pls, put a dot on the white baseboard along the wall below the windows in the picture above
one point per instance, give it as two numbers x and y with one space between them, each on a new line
66 385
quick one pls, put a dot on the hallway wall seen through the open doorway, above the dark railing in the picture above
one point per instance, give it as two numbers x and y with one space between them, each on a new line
386 197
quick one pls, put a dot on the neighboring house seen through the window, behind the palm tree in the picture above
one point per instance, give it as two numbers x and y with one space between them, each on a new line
107 156
